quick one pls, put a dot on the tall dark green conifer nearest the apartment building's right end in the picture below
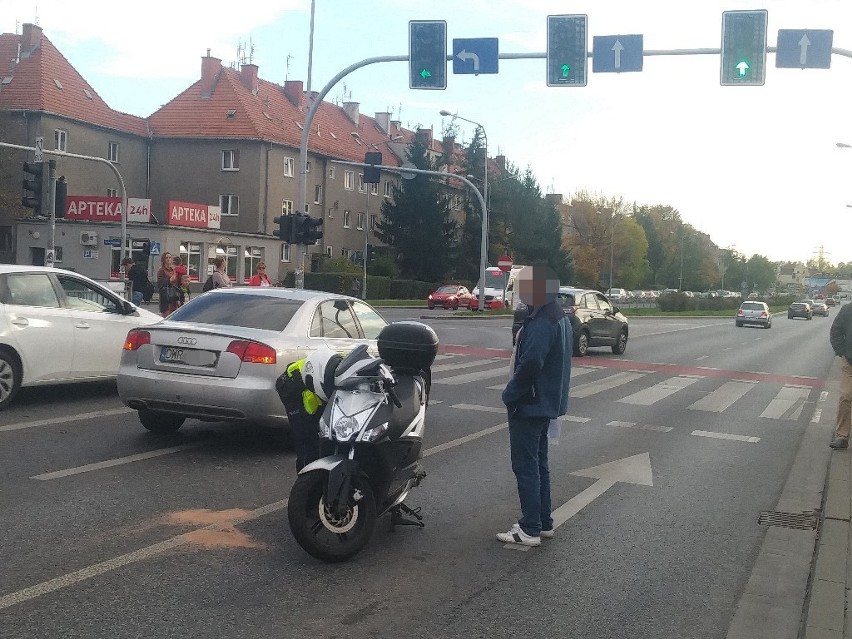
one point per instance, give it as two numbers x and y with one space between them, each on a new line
417 222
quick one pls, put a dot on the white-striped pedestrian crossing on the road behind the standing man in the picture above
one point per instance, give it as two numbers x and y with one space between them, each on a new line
631 383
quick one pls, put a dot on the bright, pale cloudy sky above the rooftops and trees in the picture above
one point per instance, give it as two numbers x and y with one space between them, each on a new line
755 168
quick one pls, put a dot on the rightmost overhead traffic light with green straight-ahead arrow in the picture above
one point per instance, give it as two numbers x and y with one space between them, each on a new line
743 48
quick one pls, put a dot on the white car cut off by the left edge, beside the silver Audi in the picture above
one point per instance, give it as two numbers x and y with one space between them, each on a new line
57 326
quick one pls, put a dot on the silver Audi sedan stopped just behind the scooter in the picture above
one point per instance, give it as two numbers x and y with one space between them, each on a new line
217 358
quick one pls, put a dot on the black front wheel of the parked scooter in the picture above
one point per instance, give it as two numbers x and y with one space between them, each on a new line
320 532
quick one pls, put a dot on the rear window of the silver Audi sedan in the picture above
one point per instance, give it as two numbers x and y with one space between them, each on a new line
248 311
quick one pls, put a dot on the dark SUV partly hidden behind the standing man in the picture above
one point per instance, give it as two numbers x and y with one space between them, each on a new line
596 322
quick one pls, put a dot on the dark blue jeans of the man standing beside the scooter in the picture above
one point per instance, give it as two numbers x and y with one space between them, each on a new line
528 442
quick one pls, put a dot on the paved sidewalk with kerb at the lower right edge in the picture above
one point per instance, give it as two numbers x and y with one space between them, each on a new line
801 579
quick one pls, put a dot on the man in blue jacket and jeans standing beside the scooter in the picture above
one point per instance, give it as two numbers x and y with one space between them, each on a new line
537 393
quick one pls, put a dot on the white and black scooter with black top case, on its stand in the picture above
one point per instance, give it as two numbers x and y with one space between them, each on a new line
371 431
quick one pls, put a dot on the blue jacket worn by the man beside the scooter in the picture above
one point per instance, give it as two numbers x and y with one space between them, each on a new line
542 371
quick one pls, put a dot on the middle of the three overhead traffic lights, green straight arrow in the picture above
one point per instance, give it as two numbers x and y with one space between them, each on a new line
567 46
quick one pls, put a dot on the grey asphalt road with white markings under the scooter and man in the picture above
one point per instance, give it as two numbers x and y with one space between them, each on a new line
109 531
